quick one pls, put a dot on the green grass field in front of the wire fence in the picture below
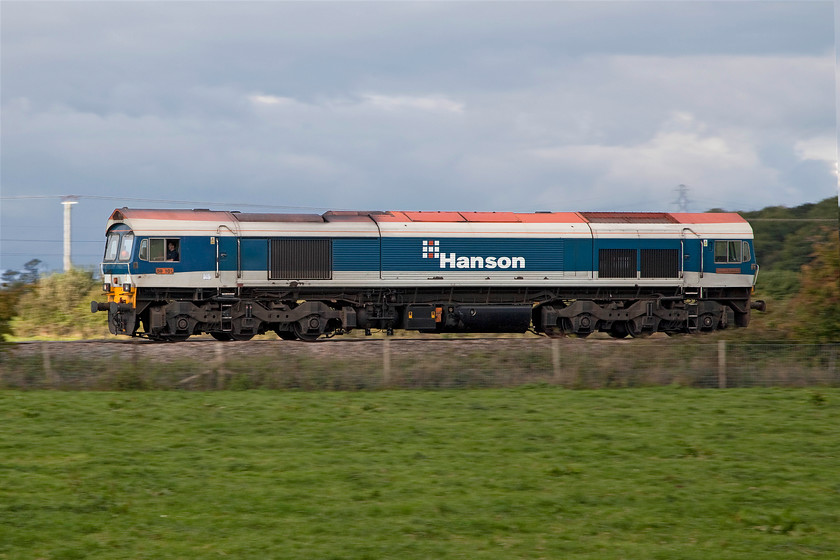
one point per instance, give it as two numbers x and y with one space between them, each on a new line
505 473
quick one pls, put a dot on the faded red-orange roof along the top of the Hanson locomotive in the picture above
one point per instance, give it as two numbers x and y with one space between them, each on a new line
441 217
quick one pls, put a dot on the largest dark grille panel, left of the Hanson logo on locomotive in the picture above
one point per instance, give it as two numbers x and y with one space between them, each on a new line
300 259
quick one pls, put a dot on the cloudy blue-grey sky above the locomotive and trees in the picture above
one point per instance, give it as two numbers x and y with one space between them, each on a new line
490 106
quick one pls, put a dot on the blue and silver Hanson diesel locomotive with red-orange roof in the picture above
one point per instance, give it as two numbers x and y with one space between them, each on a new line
171 274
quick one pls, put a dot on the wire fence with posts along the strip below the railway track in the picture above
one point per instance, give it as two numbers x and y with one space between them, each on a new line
416 364
